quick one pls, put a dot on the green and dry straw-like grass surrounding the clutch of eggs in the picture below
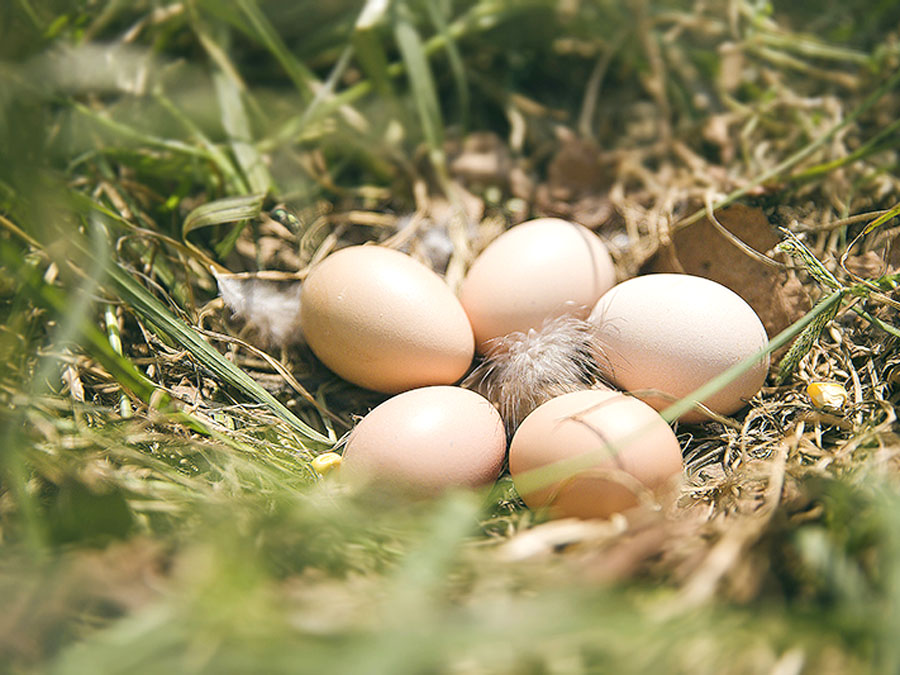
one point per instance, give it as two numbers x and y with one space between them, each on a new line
157 507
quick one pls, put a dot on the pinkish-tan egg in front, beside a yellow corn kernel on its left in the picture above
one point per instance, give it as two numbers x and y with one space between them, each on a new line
427 440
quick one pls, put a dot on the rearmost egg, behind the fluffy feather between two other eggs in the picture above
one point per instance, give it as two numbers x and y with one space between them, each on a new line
538 270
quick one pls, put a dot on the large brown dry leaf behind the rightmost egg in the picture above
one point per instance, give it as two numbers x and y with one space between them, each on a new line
776 295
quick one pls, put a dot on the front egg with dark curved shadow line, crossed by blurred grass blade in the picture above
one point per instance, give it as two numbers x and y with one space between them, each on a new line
624 451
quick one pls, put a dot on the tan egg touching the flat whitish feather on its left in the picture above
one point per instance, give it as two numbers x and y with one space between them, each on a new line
384 321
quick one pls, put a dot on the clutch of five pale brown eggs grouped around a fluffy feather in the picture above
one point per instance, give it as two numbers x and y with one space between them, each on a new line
383 321
